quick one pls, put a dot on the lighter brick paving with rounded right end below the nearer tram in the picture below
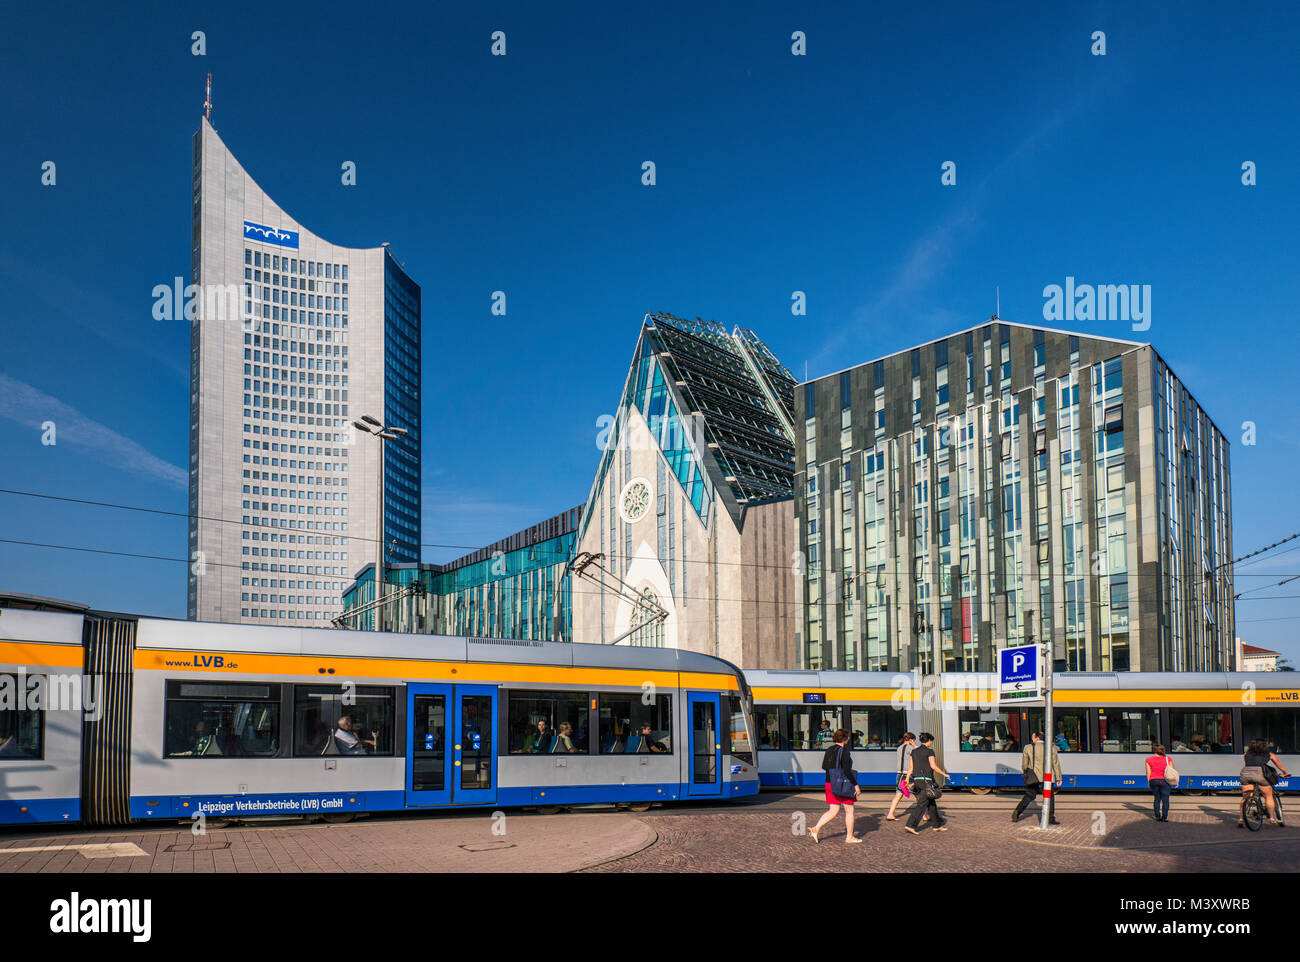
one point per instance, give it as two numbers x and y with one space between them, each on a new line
454 843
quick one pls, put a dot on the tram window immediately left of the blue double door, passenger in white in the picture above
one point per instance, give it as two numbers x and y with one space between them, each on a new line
319 709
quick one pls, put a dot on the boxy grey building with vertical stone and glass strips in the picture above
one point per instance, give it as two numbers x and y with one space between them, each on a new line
1012 483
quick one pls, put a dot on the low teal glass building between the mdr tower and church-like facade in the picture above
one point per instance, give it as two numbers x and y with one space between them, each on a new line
514 588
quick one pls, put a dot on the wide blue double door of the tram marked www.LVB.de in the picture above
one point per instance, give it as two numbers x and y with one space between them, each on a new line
452 759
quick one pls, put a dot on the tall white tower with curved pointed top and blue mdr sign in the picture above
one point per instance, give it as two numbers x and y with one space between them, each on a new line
293 339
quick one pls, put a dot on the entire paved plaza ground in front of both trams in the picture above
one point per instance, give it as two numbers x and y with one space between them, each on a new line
1099 834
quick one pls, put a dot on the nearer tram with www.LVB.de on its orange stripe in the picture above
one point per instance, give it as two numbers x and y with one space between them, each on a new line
115 718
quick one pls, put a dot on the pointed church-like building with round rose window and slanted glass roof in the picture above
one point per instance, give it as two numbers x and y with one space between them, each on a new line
690 522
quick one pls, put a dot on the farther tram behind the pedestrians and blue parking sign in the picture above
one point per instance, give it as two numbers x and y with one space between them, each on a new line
1104 726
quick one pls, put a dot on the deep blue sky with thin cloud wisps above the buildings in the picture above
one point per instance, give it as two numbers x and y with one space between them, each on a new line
523 174
